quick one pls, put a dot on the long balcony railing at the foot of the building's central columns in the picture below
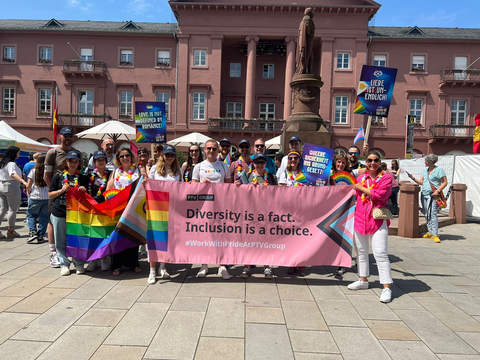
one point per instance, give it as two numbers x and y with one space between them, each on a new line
240 124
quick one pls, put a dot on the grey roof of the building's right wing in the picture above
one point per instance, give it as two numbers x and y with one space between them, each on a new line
417 32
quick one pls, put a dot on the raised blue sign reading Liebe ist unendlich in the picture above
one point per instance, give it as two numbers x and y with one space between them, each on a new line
375 90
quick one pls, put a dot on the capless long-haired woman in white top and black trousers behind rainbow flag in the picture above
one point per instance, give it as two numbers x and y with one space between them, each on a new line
124 175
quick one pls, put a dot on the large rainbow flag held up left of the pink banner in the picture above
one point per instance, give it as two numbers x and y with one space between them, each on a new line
90 225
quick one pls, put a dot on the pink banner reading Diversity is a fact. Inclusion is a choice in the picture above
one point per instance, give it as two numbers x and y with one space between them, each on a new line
227 224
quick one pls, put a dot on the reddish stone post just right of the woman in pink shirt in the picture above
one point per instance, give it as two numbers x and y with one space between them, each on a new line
408 215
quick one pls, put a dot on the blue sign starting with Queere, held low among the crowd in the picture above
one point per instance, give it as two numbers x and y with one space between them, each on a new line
317 162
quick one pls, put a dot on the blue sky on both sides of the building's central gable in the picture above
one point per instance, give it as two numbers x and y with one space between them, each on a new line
431 13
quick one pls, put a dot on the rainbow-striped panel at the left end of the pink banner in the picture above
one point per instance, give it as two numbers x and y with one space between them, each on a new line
157 220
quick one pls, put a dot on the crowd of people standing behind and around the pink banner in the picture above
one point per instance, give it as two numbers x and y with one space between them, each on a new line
47 179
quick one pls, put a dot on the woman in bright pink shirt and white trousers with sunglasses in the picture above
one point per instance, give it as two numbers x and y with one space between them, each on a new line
372 191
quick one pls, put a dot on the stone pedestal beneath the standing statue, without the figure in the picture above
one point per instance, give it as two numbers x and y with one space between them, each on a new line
305 121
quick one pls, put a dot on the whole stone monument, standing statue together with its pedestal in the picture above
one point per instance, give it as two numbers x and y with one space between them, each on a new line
305 120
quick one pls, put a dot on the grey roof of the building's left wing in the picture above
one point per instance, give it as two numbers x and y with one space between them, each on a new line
96 26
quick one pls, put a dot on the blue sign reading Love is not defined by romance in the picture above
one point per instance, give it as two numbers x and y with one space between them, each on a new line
150 122
